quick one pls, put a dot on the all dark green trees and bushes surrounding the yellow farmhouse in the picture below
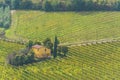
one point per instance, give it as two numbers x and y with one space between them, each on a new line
26 56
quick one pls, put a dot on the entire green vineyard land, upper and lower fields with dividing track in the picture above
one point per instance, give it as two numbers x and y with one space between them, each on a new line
98 60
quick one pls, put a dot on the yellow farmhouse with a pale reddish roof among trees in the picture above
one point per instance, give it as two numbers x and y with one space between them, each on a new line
41 51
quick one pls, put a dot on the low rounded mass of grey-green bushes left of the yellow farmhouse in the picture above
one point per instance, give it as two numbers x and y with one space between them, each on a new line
21 57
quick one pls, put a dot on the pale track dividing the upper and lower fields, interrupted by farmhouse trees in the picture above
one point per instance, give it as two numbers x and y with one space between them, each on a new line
82 43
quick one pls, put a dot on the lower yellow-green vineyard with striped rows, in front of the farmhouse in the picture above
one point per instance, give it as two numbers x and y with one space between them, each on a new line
95 62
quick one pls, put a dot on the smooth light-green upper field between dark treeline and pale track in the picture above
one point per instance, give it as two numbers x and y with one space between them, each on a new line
68 26
